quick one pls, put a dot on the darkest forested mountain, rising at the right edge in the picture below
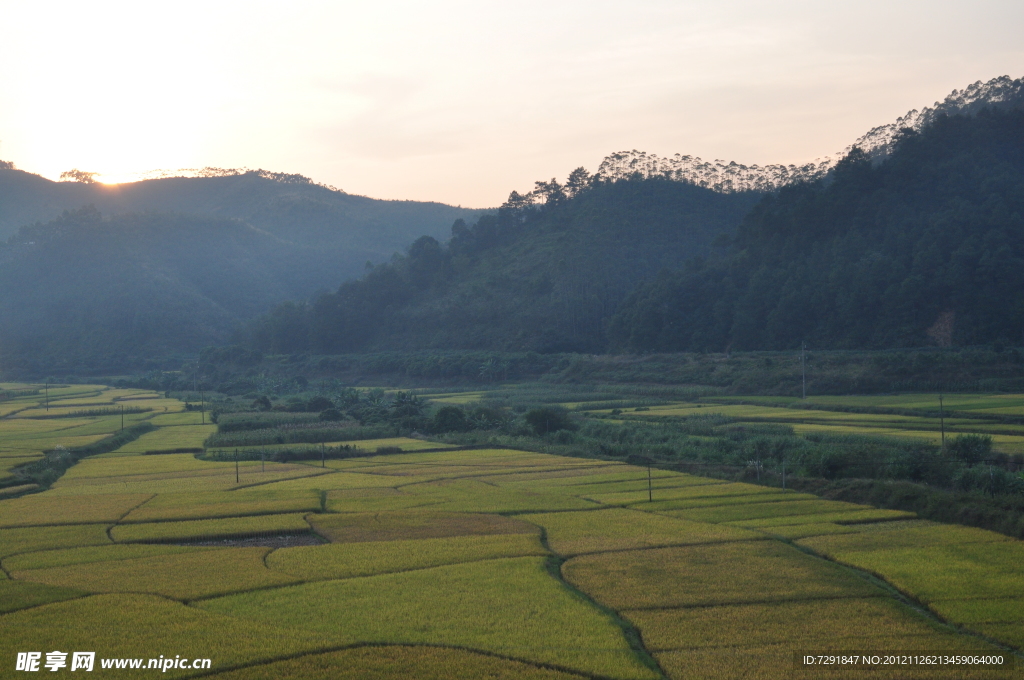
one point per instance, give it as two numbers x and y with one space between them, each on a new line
926 248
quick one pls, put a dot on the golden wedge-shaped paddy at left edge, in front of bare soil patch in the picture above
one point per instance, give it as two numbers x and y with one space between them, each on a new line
182 576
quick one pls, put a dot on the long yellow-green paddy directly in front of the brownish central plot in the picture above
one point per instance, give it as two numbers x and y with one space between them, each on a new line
345 561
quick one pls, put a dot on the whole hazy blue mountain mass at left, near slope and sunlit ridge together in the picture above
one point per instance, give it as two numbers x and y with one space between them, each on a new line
172 266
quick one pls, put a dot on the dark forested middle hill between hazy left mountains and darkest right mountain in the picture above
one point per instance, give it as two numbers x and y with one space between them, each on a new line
544 276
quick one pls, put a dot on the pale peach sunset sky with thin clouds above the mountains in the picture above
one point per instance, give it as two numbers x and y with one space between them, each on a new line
462 102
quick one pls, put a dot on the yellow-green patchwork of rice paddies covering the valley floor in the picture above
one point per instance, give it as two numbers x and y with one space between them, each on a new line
483 564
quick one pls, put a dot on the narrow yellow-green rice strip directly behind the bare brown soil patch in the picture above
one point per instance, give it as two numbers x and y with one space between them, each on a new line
210 530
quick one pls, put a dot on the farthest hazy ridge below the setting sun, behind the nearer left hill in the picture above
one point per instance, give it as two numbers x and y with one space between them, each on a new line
352 230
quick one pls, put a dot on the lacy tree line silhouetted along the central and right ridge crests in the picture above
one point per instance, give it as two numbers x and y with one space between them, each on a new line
1003 93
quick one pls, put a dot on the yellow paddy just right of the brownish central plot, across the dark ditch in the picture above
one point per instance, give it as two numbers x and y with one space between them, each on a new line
619 529
